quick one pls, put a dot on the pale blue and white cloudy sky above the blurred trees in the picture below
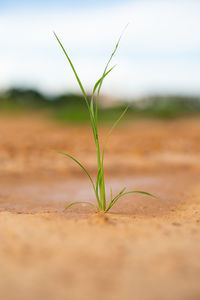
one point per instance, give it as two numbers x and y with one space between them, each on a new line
158 54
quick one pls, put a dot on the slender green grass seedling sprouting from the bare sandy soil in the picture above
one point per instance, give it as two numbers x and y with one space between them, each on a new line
99 185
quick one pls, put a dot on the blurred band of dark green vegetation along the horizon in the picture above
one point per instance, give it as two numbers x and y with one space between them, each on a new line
72 108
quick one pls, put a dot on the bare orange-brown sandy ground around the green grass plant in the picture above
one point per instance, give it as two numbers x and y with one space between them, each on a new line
144 249
